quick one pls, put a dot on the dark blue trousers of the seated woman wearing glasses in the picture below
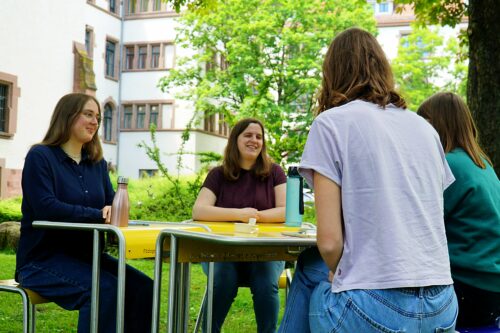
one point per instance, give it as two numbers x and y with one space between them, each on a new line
67 281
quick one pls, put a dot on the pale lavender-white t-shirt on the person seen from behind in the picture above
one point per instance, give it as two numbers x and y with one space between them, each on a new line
392 171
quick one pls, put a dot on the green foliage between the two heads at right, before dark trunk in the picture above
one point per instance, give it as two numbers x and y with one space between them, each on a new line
425 65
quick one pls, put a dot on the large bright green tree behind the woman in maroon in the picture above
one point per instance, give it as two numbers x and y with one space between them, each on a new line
262 58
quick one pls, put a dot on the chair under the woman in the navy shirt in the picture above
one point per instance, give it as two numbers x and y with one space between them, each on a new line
30 299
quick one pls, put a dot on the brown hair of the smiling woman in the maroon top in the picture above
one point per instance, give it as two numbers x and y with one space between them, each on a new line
231 162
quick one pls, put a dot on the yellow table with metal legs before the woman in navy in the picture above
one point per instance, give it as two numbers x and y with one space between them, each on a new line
135 241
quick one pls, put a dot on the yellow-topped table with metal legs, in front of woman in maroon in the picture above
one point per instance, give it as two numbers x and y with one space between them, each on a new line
221 243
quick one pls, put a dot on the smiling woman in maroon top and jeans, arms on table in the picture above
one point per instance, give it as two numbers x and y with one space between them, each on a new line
247 185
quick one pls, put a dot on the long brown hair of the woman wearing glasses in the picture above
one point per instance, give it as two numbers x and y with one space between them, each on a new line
64 116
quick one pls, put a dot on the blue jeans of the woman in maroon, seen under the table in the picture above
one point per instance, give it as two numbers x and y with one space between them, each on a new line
263 280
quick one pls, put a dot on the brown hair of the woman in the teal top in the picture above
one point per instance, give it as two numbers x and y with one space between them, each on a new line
451 118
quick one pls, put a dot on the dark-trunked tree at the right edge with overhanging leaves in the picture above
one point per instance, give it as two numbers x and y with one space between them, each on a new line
483 84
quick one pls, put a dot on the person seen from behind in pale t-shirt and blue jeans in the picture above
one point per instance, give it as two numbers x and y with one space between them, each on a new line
378 172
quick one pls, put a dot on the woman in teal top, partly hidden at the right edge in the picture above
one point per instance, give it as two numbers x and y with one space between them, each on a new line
471 211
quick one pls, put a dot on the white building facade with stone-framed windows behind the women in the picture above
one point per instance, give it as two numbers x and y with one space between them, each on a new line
116 51
